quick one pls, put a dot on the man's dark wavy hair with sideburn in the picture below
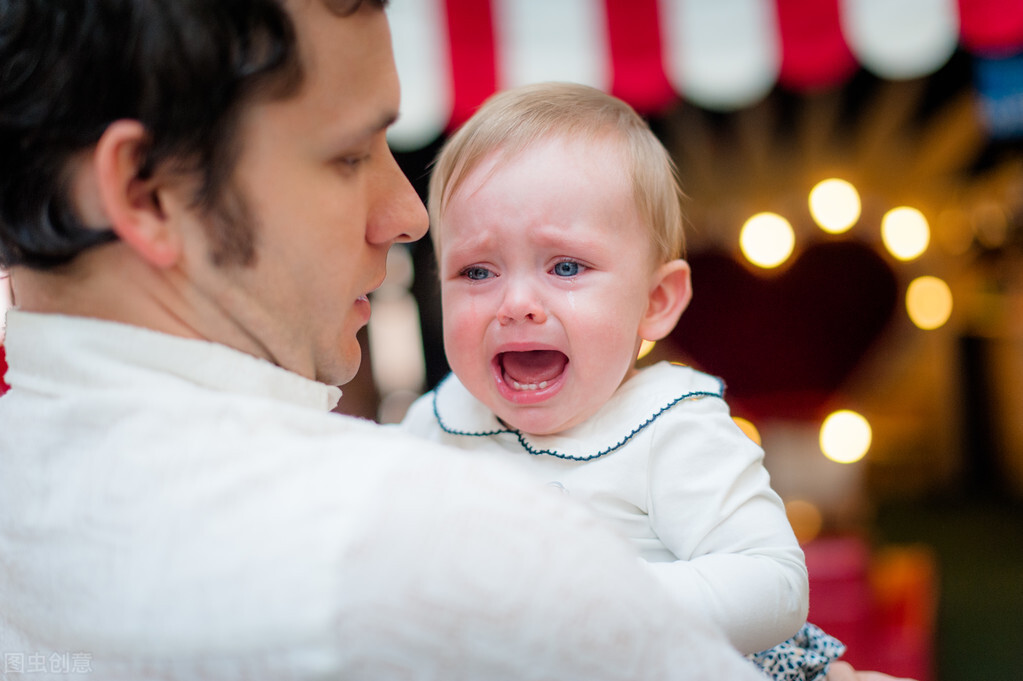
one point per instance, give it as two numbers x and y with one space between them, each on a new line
185 69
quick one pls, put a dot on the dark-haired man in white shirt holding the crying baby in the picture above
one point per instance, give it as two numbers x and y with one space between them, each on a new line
196 200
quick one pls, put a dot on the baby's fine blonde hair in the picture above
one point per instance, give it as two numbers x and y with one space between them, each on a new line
513 120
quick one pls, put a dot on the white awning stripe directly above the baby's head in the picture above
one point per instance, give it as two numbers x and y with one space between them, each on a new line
552 40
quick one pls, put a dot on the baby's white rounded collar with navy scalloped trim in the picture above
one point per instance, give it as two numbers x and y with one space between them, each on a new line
640 402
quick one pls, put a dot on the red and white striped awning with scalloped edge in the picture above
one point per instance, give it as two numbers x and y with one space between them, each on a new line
720 55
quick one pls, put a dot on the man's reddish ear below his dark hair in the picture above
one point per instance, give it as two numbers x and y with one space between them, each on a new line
132 204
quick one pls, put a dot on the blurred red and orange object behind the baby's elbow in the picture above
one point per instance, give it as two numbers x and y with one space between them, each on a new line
881 604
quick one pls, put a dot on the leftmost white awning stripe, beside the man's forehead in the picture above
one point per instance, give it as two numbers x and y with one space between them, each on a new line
419 31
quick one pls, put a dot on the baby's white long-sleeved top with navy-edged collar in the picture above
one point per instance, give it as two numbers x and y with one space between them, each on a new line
666 466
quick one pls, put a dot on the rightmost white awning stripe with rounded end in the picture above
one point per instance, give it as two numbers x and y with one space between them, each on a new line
902 39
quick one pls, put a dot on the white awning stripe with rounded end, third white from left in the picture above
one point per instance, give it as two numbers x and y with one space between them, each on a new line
722 55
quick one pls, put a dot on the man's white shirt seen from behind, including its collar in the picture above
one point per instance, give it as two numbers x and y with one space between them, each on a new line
174 510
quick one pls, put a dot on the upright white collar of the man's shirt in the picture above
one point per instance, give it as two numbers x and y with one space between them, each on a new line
58 353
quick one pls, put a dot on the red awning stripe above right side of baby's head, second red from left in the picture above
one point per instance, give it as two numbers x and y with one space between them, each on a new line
635 40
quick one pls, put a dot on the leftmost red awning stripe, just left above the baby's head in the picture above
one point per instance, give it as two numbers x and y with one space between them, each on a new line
474 61
